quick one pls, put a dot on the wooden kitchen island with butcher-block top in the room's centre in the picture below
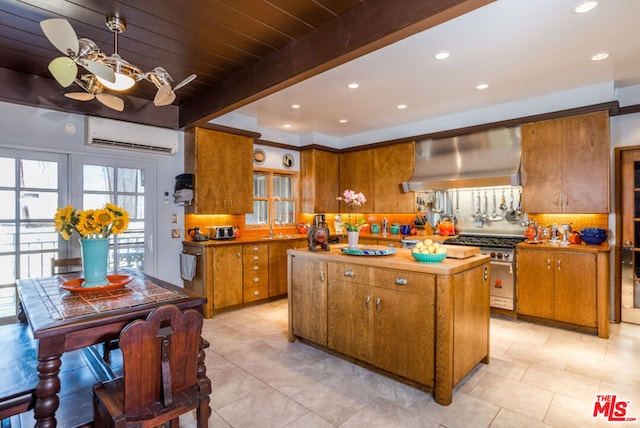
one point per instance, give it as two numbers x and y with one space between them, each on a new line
426 324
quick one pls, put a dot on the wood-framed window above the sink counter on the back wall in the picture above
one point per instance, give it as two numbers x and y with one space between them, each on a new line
273 199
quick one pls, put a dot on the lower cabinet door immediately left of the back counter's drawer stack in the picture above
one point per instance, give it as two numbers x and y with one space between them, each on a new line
227 276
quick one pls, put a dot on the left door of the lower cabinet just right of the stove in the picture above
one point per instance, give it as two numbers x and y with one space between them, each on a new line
535 287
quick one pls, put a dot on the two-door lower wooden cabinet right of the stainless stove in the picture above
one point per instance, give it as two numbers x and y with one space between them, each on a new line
559 286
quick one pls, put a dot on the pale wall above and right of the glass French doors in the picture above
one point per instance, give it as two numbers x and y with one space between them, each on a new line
30 128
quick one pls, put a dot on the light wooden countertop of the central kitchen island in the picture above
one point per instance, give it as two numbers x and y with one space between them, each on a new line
401 259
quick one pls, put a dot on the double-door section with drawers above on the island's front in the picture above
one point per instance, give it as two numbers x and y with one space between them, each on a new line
383 317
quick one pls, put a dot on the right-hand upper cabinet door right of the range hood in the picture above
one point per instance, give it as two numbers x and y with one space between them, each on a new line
585 163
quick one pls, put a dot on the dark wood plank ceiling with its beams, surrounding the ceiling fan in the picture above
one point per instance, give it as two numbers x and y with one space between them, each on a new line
241 50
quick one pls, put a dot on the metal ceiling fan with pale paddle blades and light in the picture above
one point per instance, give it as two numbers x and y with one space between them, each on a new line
110 72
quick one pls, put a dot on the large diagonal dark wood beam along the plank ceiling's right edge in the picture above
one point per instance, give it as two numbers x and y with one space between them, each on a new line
371 25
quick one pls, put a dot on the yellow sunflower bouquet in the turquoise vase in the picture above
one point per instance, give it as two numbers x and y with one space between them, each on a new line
91 224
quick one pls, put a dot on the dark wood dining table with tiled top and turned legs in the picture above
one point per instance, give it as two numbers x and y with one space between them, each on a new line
64 317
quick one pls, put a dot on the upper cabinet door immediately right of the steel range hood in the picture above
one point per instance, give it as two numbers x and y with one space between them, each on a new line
542 166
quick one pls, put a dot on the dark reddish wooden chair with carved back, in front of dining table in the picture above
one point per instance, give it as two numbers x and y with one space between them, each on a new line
164 373
